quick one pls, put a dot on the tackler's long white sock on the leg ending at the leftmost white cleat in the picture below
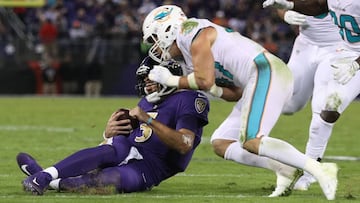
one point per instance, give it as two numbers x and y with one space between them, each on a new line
237 153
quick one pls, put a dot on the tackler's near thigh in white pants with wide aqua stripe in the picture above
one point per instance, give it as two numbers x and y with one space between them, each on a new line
264 97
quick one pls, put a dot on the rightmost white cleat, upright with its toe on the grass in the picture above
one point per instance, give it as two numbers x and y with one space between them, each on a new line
328 181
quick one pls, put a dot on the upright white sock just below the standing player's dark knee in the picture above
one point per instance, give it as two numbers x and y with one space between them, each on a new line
319 134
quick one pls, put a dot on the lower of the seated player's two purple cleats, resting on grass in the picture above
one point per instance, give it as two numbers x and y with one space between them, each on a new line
37 183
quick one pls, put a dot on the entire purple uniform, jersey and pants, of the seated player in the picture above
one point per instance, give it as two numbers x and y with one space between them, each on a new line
183 109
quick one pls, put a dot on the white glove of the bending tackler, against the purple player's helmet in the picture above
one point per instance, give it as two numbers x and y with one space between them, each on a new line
162 75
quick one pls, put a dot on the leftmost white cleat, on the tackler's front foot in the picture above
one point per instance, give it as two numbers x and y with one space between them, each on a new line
284 185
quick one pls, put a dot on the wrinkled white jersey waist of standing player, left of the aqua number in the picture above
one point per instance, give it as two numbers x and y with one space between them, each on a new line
320 30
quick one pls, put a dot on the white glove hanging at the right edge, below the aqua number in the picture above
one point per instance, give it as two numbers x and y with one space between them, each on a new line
344 70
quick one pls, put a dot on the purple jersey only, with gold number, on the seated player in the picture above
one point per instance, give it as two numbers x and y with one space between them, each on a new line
183 109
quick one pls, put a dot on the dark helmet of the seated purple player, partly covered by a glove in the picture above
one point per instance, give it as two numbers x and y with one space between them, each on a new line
152 91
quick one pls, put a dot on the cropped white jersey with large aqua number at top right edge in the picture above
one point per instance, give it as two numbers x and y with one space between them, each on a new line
346 15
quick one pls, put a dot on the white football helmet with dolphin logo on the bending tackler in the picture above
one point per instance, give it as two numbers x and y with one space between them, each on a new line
160 28
